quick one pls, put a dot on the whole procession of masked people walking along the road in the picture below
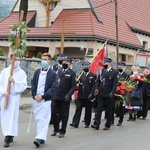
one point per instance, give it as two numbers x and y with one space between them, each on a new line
52 89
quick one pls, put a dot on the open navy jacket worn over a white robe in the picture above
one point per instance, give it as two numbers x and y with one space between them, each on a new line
50 84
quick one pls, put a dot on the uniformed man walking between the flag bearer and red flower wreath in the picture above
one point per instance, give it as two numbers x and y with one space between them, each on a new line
105 89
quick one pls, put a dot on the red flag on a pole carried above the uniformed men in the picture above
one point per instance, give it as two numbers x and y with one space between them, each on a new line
97 63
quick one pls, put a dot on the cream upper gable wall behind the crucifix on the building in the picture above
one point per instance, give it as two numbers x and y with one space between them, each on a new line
63 4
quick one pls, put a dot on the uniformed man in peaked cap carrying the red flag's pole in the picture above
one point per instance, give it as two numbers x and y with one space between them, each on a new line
85 95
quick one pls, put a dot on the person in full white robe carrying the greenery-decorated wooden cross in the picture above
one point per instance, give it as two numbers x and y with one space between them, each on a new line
9 116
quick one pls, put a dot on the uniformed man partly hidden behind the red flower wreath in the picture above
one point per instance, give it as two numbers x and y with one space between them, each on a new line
123 76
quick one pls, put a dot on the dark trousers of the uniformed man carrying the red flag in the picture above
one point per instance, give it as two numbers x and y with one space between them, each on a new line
88 111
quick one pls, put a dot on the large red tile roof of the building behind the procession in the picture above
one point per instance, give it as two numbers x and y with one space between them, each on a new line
82 22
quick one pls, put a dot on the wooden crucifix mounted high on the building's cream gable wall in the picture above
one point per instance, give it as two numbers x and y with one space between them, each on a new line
47 8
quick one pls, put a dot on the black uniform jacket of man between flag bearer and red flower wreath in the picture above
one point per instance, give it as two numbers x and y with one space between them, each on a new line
107 82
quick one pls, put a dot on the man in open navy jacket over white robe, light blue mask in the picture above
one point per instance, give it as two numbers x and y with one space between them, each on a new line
42 86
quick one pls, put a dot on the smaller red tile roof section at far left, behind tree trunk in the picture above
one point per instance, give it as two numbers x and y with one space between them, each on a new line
12 19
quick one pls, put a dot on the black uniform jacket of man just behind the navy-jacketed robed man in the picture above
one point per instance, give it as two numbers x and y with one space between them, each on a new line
66 84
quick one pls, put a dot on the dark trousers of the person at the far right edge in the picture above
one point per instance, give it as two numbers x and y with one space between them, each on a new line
144 110
